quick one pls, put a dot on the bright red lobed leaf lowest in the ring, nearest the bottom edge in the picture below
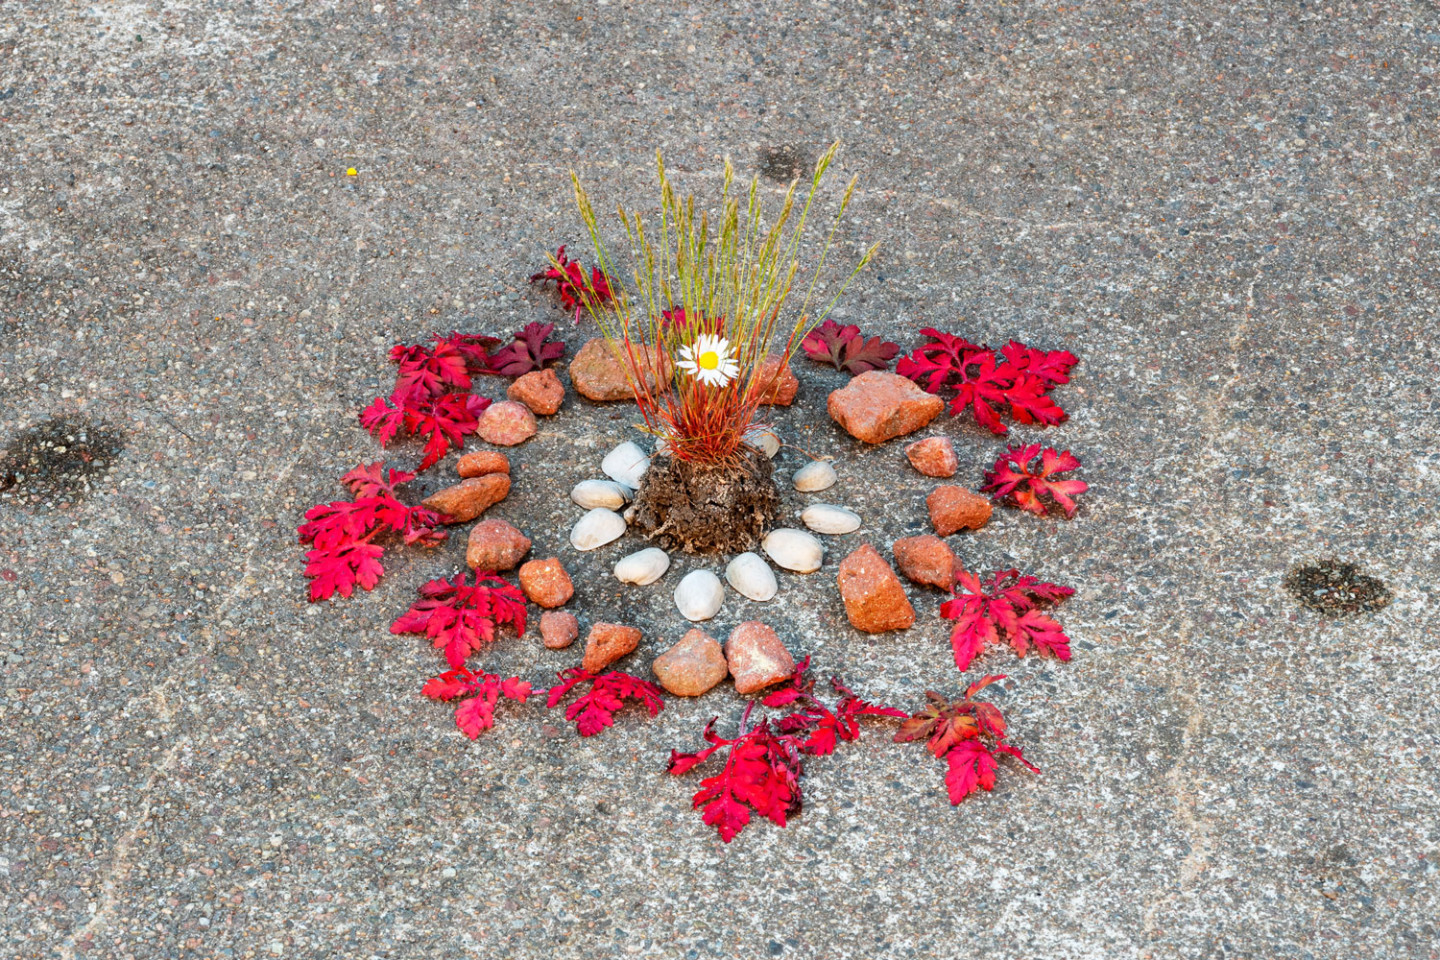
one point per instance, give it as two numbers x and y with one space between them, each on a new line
761 775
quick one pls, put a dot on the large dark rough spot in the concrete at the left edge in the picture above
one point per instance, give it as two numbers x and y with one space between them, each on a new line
58 461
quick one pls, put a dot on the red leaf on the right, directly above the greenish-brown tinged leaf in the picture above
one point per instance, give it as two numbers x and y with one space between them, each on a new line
1004 610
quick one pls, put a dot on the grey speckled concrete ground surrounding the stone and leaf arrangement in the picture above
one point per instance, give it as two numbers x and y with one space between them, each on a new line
1226 211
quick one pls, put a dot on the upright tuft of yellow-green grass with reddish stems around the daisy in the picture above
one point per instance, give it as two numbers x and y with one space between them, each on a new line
737 276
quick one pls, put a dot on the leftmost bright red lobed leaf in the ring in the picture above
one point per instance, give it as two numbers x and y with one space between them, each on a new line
341 533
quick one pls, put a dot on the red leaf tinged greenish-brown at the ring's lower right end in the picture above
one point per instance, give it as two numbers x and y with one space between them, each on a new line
968 735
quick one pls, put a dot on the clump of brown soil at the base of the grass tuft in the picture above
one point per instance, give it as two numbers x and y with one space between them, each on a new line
708 509
